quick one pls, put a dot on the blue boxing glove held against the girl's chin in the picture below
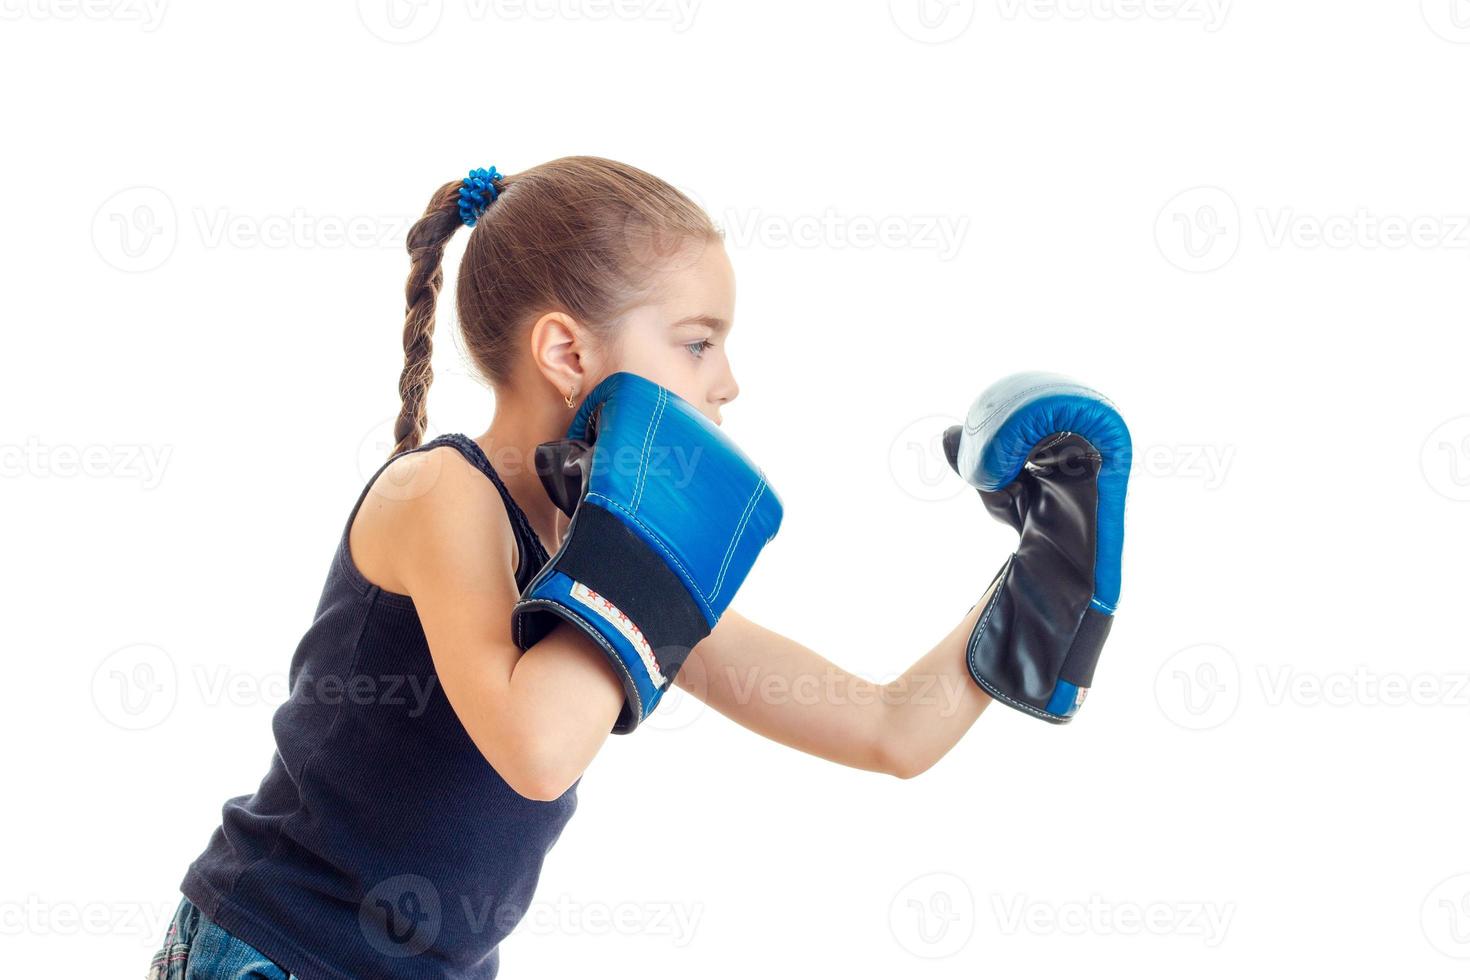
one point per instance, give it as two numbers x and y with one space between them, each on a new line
668 516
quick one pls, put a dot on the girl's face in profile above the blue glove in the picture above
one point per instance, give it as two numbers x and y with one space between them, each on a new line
678 339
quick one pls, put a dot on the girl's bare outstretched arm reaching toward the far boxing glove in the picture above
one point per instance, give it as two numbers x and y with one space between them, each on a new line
789 693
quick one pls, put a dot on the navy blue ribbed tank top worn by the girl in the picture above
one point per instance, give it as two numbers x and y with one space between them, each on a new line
381 843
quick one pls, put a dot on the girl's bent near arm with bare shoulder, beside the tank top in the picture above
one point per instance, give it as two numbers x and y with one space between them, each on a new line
445 538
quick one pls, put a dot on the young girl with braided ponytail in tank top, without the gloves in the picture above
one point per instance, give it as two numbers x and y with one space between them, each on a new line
424 763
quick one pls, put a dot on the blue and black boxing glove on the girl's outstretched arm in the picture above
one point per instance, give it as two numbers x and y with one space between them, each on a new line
1050 458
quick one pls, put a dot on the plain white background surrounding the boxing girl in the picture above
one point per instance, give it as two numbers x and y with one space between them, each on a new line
1246 223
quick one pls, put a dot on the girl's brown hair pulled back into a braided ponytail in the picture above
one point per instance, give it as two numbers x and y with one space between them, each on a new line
580 234
